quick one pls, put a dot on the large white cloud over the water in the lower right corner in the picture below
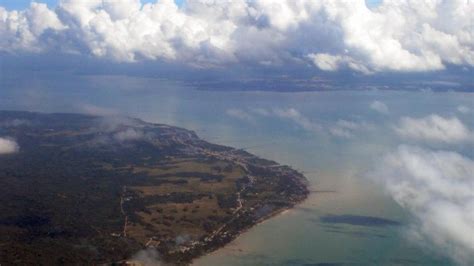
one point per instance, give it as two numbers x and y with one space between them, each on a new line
437 188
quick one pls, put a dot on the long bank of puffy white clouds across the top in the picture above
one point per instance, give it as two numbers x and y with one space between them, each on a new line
395 36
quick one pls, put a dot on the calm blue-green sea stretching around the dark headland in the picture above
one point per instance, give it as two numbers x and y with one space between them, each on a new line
261 123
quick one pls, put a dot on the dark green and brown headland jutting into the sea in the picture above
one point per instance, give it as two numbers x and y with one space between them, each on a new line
91 190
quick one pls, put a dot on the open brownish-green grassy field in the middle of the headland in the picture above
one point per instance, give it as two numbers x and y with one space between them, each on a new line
185 221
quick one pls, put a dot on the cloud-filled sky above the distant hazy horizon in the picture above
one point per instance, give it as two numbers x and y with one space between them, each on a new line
336 42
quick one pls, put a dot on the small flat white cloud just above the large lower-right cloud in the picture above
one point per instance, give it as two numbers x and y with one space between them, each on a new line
434 128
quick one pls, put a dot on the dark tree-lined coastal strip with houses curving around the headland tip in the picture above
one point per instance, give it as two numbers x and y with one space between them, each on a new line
295 191
